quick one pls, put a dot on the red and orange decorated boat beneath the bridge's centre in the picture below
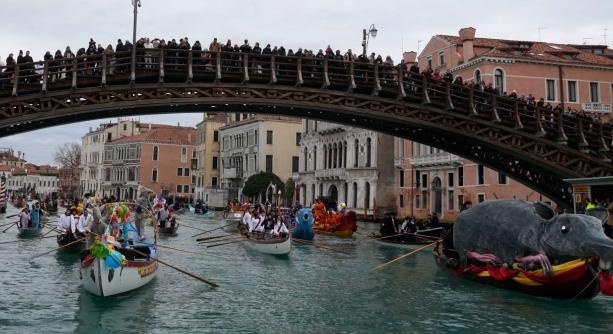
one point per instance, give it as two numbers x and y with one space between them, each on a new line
341 225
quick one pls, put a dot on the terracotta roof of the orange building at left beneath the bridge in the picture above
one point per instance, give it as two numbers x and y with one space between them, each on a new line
163 135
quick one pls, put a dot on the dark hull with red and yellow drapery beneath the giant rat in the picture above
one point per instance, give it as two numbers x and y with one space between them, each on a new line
570 280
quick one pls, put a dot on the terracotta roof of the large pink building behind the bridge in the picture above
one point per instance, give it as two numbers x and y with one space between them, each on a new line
540 51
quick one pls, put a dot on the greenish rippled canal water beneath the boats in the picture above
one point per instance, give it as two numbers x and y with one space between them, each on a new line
312 291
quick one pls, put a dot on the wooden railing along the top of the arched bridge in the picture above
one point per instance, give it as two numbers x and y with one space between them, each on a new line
169 65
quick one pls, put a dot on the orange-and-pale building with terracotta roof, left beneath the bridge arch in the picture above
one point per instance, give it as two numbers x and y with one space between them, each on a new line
158 160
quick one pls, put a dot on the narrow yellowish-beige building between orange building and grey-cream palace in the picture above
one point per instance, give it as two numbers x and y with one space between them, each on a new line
207 175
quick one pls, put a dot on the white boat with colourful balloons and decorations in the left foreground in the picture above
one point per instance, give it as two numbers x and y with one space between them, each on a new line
108 270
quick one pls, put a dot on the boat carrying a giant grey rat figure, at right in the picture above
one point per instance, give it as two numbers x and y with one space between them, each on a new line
526 247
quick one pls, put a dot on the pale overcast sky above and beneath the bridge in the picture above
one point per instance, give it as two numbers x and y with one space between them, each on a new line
404 25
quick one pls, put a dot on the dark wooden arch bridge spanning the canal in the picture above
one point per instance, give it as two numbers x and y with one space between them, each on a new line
537 147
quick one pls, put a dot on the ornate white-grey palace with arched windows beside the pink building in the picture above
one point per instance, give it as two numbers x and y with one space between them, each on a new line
348 165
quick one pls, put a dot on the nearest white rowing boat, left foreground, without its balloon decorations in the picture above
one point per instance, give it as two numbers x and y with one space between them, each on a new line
102 280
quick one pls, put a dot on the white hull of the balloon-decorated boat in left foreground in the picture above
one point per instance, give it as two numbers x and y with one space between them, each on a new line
103 281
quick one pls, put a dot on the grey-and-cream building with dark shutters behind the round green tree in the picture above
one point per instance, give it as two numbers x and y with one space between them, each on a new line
258 143
